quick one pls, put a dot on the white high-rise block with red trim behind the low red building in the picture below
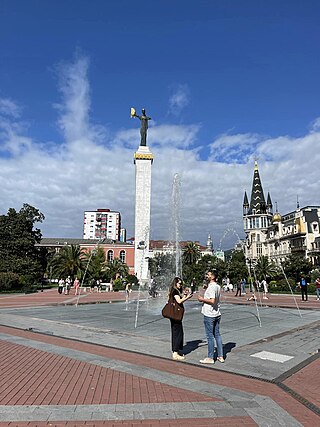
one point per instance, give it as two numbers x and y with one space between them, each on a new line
102 223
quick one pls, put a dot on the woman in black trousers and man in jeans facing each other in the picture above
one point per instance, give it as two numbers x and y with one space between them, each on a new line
211 317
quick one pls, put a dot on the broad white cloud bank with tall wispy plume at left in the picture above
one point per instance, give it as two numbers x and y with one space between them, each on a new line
63 180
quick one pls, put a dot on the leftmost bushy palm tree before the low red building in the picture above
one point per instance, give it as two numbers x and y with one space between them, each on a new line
68 262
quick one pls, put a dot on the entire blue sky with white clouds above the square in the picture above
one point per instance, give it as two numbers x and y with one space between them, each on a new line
224 82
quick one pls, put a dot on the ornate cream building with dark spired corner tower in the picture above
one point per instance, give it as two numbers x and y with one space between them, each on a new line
277 236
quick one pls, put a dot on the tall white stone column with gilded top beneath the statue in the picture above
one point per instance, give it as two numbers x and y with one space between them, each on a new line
143 159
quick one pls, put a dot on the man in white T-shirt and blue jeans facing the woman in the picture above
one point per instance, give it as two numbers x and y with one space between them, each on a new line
211 318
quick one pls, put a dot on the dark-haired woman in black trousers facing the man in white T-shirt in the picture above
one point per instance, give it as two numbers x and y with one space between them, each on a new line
176 293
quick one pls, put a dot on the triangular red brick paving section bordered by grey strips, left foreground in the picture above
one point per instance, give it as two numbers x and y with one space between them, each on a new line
34 377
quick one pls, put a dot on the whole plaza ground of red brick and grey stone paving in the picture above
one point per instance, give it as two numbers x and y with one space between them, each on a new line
69 361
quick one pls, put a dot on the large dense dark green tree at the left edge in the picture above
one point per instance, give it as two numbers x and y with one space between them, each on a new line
18 237
